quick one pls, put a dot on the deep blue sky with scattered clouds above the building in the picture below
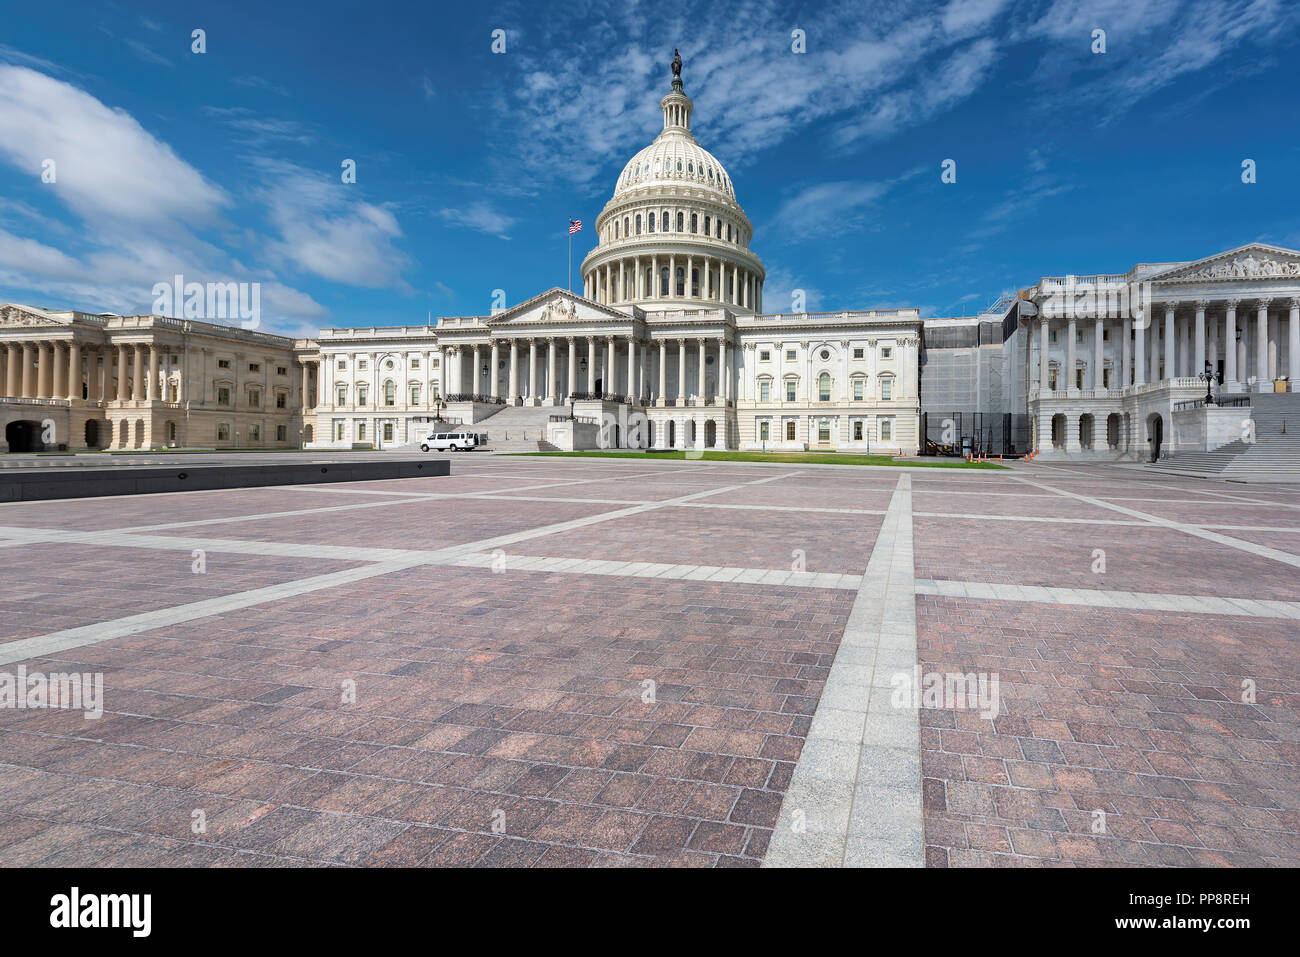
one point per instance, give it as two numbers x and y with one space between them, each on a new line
227 166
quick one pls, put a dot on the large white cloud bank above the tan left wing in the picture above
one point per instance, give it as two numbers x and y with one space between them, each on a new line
141 209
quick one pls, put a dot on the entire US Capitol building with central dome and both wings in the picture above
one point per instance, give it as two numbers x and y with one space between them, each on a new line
669 347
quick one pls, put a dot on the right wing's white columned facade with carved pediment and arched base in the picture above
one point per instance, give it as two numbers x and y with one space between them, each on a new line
1126 350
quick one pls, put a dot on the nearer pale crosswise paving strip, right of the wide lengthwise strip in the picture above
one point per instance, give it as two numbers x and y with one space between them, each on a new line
1147 601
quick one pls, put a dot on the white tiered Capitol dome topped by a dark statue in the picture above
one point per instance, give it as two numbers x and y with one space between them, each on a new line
673 236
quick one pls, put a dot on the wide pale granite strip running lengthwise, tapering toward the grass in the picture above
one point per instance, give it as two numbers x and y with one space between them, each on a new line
856 798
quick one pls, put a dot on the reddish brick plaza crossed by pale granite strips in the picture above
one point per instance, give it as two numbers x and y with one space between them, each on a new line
577 662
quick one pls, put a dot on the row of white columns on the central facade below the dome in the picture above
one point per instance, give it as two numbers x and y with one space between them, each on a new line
639 380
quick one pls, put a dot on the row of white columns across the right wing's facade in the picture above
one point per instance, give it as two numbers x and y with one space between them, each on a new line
1185 349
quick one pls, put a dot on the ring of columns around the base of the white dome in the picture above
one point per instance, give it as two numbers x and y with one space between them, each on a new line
626 280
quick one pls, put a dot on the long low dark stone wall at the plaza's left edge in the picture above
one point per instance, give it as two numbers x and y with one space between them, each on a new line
29 486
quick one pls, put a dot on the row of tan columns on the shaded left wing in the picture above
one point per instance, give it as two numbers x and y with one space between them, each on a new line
54 370
